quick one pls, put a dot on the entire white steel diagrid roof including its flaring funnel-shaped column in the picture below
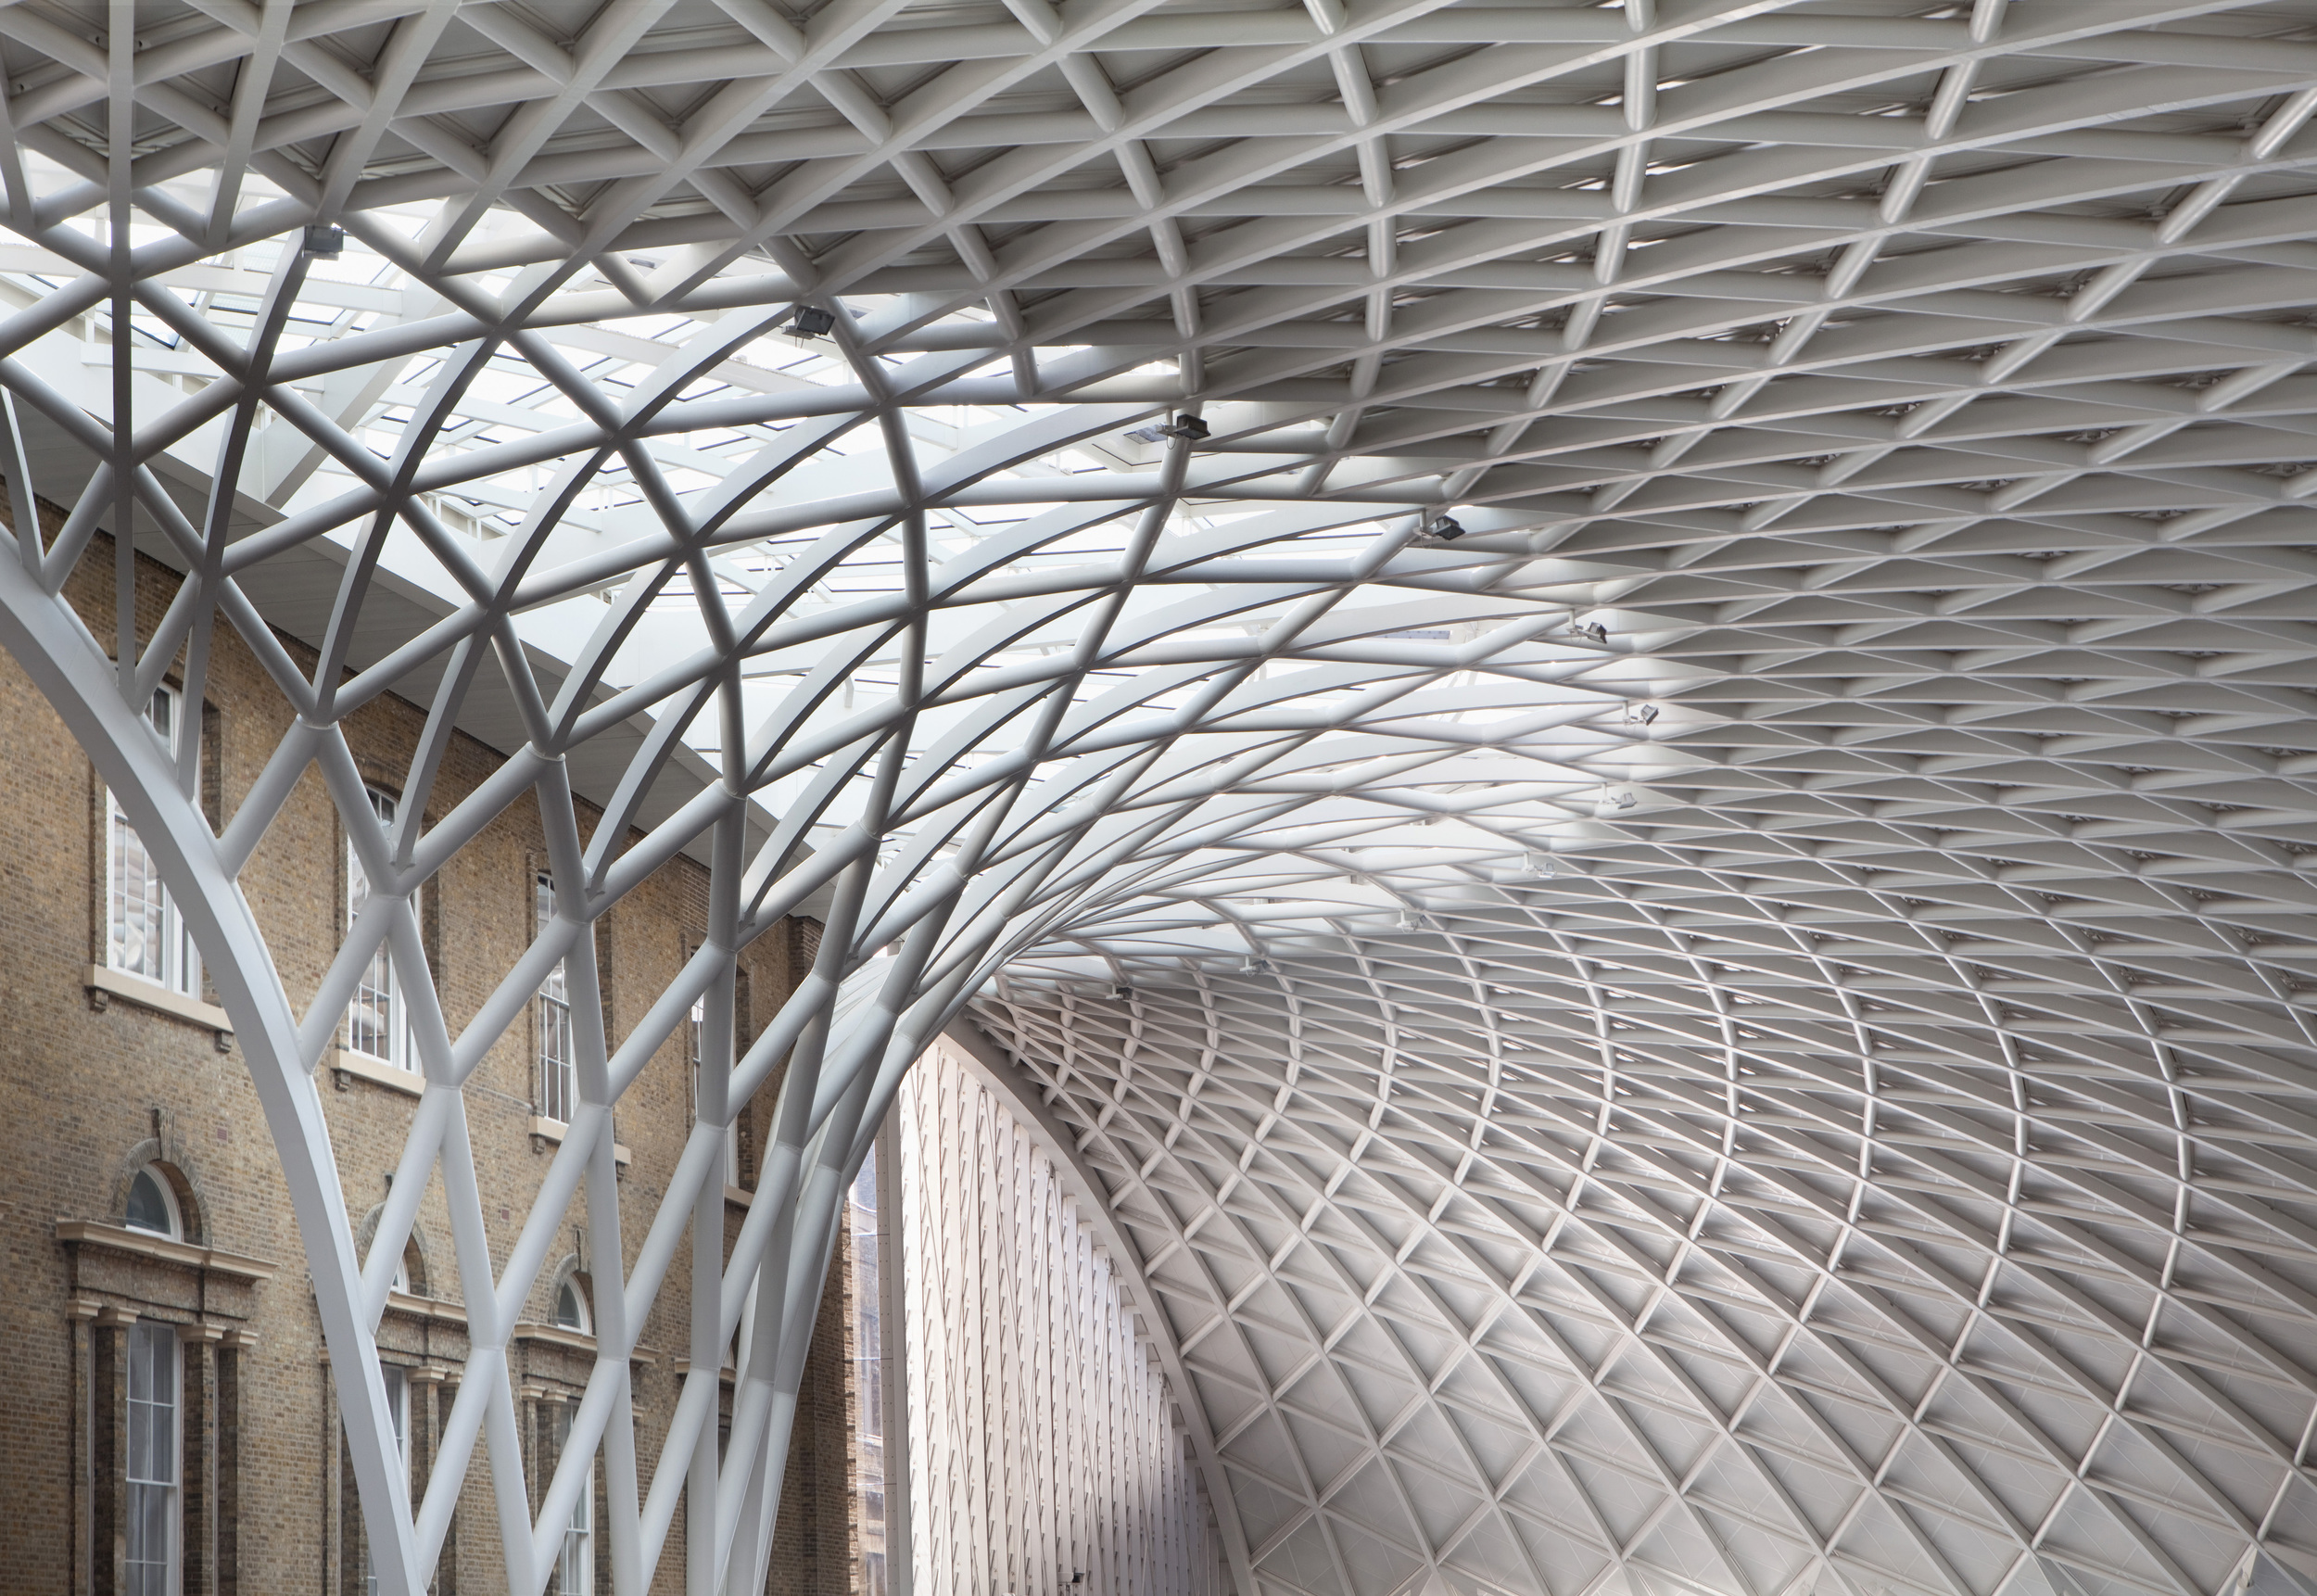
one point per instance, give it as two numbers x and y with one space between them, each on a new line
1658 863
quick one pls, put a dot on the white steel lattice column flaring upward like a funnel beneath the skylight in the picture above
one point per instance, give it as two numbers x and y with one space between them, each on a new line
937 856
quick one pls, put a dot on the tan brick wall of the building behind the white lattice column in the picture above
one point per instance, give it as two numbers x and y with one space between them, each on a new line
96 1085
